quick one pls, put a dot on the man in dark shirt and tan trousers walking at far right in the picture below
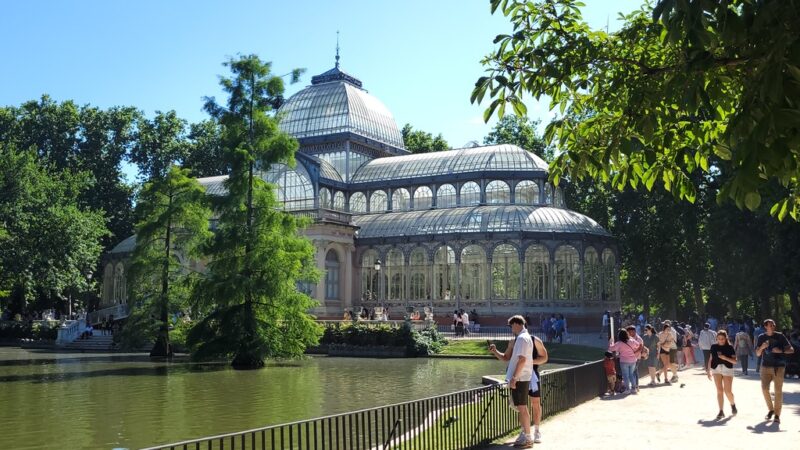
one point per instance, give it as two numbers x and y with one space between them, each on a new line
773 347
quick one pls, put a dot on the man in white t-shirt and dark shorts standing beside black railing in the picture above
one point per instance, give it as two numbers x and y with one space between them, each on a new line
519 375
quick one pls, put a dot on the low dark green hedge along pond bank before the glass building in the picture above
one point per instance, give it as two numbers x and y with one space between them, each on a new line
417 343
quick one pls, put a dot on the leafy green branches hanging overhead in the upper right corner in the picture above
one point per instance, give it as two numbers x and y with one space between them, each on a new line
682 86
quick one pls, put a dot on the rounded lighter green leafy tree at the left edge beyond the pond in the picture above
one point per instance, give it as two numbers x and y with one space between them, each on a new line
51 240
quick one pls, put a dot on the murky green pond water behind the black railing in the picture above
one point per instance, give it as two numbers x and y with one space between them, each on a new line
104 401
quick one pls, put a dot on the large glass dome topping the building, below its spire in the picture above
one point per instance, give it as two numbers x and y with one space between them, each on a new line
335 103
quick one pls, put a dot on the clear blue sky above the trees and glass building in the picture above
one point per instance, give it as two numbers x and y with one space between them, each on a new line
421 58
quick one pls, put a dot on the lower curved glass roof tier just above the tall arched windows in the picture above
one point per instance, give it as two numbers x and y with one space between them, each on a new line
478 219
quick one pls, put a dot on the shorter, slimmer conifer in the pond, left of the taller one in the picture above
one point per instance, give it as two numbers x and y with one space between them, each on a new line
172 225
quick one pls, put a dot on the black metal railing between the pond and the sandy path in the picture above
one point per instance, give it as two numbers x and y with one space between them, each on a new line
461 420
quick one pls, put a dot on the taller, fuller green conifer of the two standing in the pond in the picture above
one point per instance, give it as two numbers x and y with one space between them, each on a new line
256 257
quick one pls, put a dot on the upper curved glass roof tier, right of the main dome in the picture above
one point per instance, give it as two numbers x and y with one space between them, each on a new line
503 157
